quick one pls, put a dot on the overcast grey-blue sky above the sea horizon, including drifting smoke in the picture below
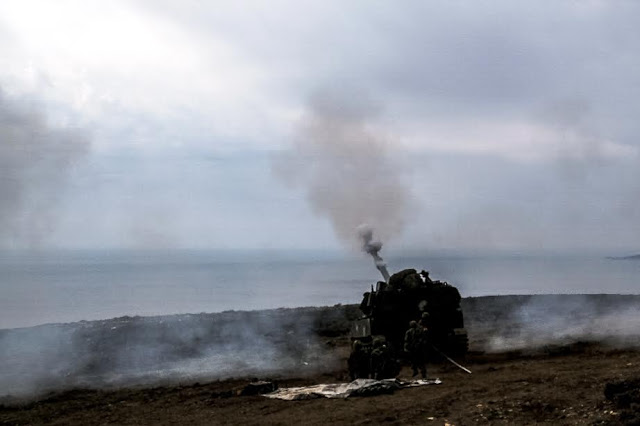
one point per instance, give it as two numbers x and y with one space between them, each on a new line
455 125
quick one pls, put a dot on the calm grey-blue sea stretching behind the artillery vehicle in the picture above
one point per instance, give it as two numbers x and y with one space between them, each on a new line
68 286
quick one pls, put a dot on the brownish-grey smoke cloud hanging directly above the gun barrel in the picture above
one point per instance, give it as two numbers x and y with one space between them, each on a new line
346 167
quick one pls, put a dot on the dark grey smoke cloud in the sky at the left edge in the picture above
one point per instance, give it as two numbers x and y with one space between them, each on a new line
35 159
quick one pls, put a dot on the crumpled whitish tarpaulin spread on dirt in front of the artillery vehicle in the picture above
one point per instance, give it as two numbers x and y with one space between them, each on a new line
359 387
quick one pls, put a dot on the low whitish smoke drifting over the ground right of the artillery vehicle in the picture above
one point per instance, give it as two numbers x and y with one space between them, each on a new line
512 323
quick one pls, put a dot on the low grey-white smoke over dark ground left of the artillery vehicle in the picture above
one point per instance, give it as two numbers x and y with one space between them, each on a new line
163 350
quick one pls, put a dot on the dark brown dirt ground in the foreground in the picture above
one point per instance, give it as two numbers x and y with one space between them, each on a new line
553 384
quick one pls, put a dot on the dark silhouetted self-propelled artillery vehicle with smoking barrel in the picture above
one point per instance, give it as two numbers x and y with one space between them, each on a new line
405 297
